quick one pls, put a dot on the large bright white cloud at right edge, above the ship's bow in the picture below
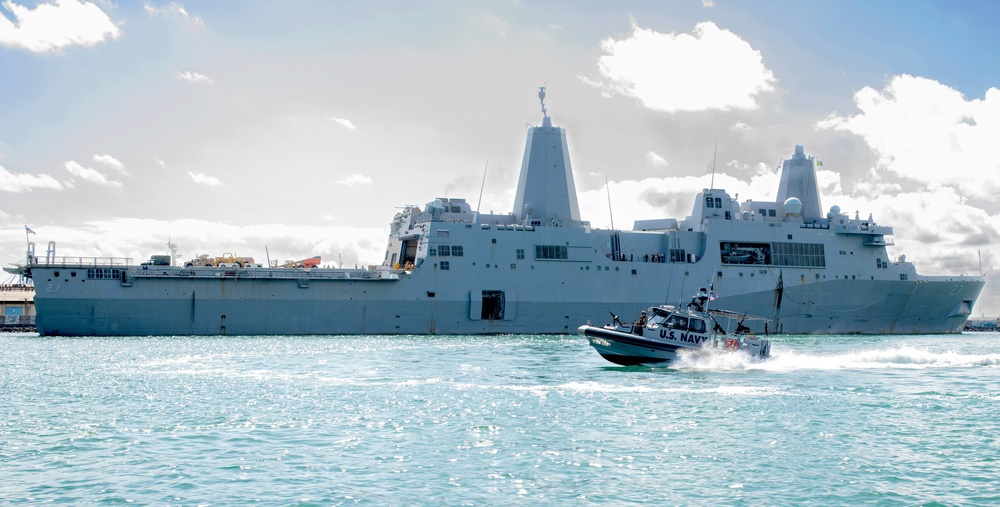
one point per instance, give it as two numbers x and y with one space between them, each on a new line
927 132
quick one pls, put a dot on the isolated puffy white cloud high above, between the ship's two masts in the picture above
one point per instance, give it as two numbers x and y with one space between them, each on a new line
709 69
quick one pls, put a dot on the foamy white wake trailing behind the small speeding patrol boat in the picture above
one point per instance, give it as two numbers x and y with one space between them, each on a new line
902 357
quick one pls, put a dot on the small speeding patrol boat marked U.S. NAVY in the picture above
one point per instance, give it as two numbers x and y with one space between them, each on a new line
669 330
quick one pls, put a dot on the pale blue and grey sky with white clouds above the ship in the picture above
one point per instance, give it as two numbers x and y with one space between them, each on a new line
292 129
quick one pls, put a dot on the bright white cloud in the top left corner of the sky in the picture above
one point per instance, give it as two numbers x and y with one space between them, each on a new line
50 27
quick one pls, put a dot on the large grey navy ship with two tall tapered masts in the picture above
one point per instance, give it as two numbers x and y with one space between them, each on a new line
538 269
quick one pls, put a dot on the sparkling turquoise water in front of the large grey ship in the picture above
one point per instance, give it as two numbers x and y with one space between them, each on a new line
503 420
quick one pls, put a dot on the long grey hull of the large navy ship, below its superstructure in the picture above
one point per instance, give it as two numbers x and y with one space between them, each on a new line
270 301
